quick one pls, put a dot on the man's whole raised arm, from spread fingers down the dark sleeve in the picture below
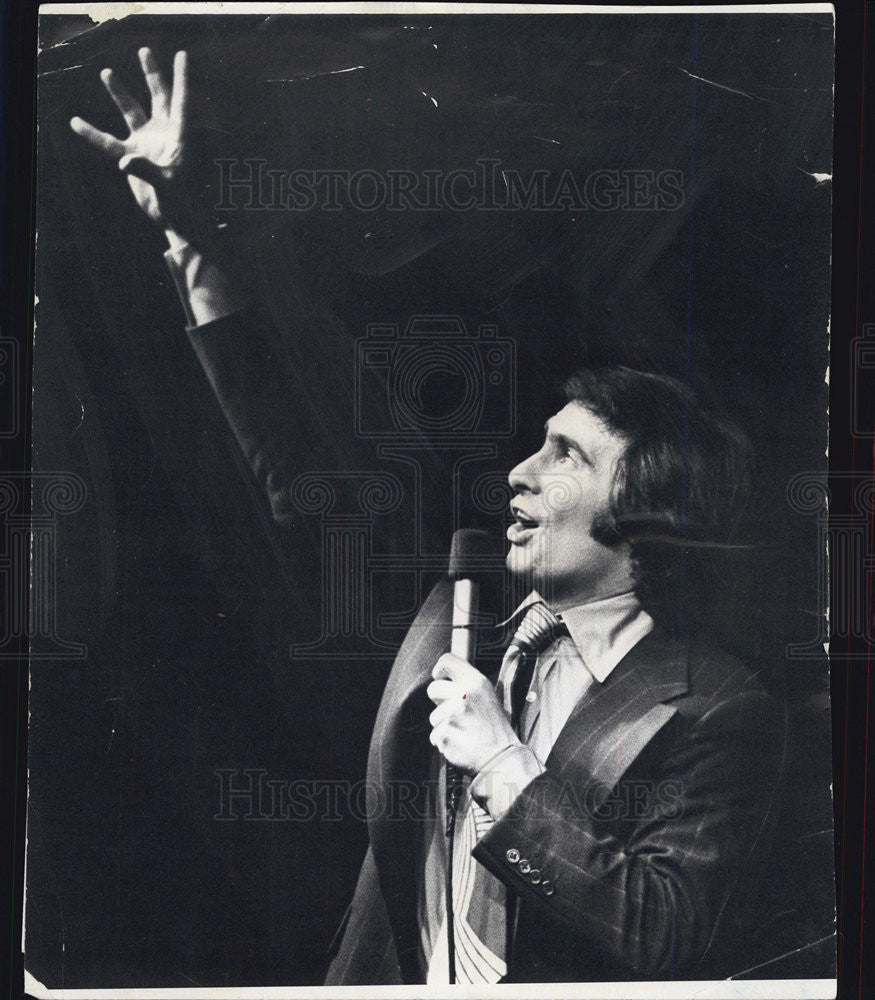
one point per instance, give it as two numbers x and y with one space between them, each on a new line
261 397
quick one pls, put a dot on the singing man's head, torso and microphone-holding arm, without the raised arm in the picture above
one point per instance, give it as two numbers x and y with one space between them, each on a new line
623 773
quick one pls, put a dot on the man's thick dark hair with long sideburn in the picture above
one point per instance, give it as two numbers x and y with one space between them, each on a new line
680 487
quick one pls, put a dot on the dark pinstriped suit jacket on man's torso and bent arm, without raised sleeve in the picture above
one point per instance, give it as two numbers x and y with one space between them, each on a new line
651 822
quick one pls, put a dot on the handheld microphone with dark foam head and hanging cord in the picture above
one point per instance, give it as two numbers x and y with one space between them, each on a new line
468 560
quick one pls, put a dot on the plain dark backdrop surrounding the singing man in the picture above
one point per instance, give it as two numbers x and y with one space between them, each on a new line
186 594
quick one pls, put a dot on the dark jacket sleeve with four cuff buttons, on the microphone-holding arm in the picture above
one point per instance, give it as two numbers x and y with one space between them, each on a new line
645 886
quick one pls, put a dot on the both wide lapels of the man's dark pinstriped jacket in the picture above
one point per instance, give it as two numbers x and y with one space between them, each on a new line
603 736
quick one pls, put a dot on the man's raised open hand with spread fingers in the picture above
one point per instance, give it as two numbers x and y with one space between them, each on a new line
154 154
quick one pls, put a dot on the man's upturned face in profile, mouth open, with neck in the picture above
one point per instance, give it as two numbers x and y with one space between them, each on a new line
560 492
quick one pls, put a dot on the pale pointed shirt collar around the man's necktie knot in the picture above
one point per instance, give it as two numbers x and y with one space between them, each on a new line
603 631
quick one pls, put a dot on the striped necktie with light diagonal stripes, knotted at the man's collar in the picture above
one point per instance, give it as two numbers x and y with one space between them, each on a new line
480 899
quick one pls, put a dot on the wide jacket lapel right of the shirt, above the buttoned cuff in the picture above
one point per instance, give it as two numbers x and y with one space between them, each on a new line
616 720
